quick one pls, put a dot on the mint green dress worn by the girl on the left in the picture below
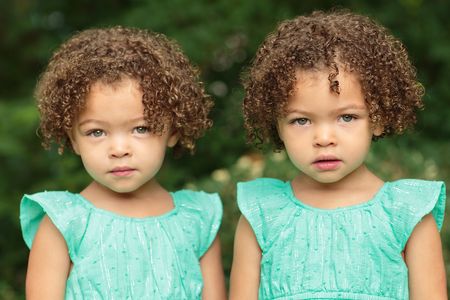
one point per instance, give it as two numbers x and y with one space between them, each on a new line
118 257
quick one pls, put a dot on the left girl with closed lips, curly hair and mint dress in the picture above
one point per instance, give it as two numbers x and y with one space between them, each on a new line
118 98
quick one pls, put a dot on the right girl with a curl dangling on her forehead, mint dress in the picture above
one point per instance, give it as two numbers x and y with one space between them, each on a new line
322 87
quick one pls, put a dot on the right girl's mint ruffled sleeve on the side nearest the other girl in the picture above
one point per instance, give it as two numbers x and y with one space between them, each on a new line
266 206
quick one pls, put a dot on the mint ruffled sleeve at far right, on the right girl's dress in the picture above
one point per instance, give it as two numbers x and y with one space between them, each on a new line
413 199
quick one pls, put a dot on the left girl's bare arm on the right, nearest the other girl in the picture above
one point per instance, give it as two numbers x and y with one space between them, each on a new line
212 272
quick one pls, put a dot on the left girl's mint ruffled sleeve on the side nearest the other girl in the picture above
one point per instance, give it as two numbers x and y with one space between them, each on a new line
202 217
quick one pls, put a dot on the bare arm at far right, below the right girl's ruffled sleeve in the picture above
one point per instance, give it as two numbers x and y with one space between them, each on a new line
423 256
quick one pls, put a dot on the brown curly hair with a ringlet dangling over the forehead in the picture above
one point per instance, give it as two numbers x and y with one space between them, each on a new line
328 41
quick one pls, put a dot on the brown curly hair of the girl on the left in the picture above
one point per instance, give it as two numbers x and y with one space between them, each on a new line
170 84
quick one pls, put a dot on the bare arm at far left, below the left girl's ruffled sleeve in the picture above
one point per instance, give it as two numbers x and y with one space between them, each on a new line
48 264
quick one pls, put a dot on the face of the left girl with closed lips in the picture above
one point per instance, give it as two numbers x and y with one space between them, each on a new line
111 137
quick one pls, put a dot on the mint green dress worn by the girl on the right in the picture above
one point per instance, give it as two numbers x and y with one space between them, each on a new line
351 252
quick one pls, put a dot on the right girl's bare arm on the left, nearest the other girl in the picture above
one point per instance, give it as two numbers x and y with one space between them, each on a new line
244 281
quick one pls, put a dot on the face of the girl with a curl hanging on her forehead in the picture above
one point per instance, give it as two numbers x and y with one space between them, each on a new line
326 135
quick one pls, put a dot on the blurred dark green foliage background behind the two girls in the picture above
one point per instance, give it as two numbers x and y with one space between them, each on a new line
220 37
